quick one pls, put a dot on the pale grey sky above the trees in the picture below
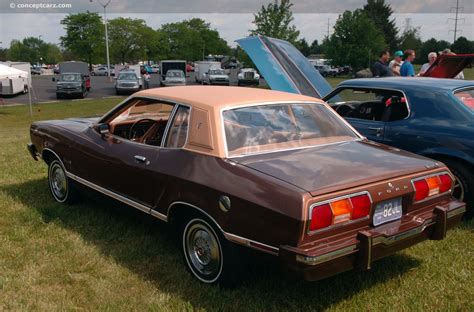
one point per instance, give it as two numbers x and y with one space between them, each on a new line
232 18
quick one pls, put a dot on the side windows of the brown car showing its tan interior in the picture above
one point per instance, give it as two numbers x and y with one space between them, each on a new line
145 121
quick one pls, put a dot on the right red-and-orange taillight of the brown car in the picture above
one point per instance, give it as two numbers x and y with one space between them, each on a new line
431 186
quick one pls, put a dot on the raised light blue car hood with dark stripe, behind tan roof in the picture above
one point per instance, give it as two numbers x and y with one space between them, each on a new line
284 67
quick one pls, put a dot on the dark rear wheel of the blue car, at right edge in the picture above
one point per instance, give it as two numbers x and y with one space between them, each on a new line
463 185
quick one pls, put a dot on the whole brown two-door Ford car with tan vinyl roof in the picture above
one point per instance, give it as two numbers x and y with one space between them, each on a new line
277 172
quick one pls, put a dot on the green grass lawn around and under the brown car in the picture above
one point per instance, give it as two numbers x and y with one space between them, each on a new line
101 256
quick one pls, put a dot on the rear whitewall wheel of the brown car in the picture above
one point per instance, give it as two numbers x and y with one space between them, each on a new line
207 254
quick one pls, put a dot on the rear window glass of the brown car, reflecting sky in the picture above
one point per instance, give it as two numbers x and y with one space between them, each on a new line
273 127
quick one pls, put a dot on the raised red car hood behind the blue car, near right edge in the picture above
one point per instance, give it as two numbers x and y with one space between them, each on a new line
448 66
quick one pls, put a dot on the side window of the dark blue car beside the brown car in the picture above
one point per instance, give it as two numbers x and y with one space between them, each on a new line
367 104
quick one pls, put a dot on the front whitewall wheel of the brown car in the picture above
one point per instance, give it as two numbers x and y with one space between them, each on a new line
60 185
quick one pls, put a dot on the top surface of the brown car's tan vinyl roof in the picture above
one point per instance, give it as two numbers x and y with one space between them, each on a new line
217 97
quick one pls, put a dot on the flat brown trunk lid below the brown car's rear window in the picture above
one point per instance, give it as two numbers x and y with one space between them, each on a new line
335 167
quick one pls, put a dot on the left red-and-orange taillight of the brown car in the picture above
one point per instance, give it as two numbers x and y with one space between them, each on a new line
352 207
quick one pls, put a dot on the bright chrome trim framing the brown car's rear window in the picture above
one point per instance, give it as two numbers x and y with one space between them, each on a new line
358 136
